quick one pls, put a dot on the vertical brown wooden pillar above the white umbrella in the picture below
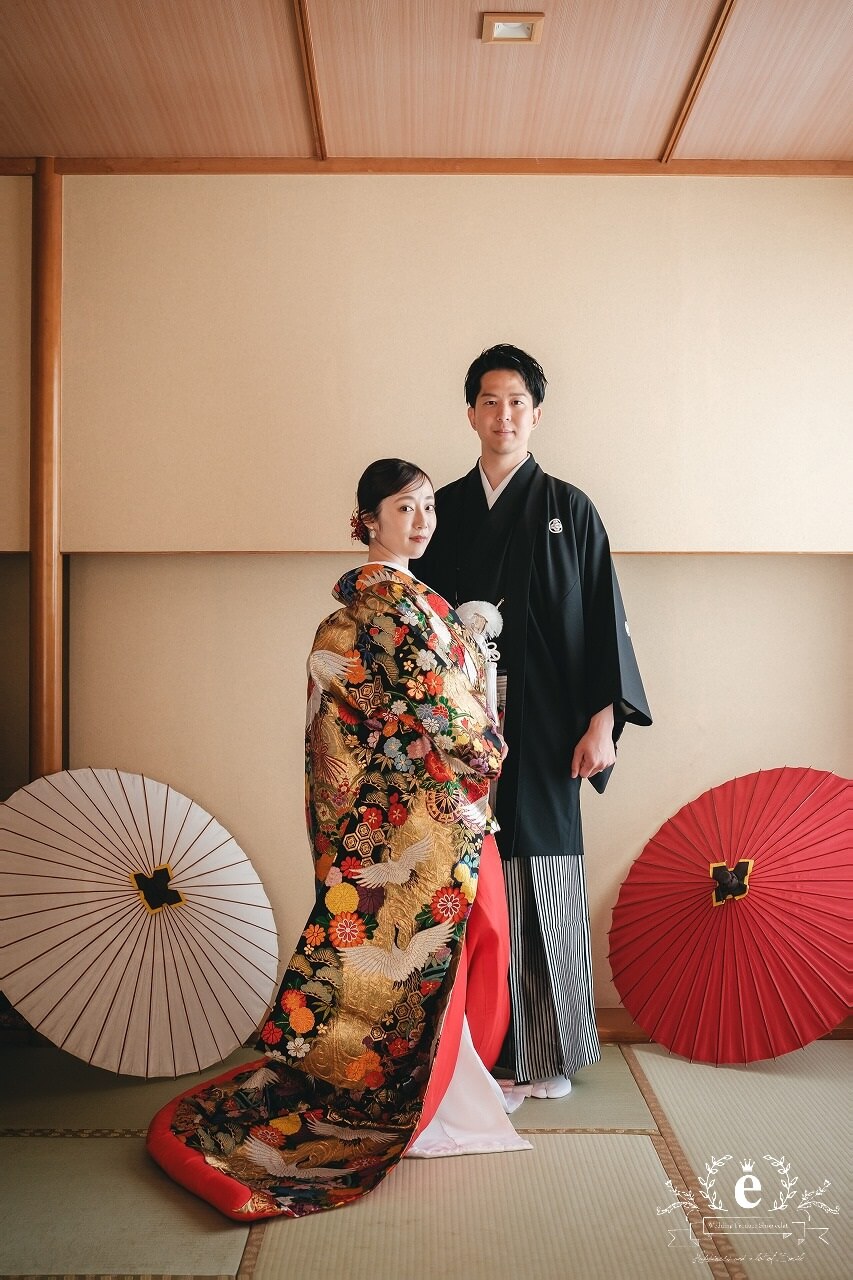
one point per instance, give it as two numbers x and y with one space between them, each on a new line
45 559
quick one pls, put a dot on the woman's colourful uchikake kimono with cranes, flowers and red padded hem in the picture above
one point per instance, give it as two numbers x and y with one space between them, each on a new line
400 753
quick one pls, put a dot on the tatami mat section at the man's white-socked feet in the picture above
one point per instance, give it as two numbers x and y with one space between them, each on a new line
603 1098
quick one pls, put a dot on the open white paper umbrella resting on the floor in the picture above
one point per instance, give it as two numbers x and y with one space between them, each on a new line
136 934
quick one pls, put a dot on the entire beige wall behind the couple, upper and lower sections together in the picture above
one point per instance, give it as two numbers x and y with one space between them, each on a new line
238 349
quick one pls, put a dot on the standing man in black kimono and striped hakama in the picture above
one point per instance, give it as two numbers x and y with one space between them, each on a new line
536 547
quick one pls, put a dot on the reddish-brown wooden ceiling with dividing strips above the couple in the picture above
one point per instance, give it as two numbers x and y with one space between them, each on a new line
343 85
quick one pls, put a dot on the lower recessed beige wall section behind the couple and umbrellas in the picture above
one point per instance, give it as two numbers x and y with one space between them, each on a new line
193 671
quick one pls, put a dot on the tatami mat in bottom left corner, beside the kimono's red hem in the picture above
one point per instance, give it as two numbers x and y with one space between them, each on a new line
99 1206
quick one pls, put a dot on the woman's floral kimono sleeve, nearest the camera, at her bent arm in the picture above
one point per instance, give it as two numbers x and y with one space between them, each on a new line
412 696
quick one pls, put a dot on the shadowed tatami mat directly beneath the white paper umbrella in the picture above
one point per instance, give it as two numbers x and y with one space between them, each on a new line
44 1089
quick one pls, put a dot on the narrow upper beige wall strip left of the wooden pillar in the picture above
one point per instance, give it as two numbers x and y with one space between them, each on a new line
16 237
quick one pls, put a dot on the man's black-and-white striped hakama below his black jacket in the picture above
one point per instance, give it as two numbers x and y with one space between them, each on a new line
553 1031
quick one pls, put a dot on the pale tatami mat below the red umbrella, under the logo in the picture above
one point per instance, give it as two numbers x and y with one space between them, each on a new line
796 1110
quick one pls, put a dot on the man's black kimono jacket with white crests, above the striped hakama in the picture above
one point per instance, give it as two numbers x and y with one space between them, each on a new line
544 552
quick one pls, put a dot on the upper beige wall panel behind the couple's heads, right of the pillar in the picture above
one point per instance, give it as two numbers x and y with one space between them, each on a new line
239 348
